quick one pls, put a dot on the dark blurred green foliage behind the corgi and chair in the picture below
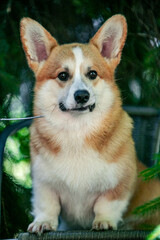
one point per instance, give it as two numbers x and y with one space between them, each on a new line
71 21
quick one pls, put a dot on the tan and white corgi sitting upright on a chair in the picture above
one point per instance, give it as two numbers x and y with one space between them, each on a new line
84 164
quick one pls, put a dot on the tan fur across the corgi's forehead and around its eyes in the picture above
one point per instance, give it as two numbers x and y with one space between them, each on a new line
60 54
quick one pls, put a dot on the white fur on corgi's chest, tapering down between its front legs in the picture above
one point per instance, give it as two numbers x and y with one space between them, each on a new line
78 174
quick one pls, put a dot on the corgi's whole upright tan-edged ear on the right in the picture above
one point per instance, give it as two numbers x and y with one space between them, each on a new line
111 37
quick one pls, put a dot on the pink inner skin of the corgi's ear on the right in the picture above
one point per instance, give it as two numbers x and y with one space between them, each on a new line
107 47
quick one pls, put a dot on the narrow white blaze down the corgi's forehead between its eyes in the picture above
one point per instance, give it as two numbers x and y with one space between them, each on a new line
79 58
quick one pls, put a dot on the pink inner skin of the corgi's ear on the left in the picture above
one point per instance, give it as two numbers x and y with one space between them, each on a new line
40 48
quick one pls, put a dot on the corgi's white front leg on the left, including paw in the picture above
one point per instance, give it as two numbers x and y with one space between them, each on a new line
46 208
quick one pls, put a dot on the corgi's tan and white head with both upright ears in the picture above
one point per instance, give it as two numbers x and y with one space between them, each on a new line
74 78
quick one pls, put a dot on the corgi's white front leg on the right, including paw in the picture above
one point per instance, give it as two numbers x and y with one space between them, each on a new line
108 212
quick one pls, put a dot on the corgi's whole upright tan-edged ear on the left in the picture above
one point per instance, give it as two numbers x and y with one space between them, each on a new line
37 42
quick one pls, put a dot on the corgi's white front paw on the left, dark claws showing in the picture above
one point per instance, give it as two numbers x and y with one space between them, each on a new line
40 227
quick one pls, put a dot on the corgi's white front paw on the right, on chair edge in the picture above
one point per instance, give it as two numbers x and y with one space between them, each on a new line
100 225
